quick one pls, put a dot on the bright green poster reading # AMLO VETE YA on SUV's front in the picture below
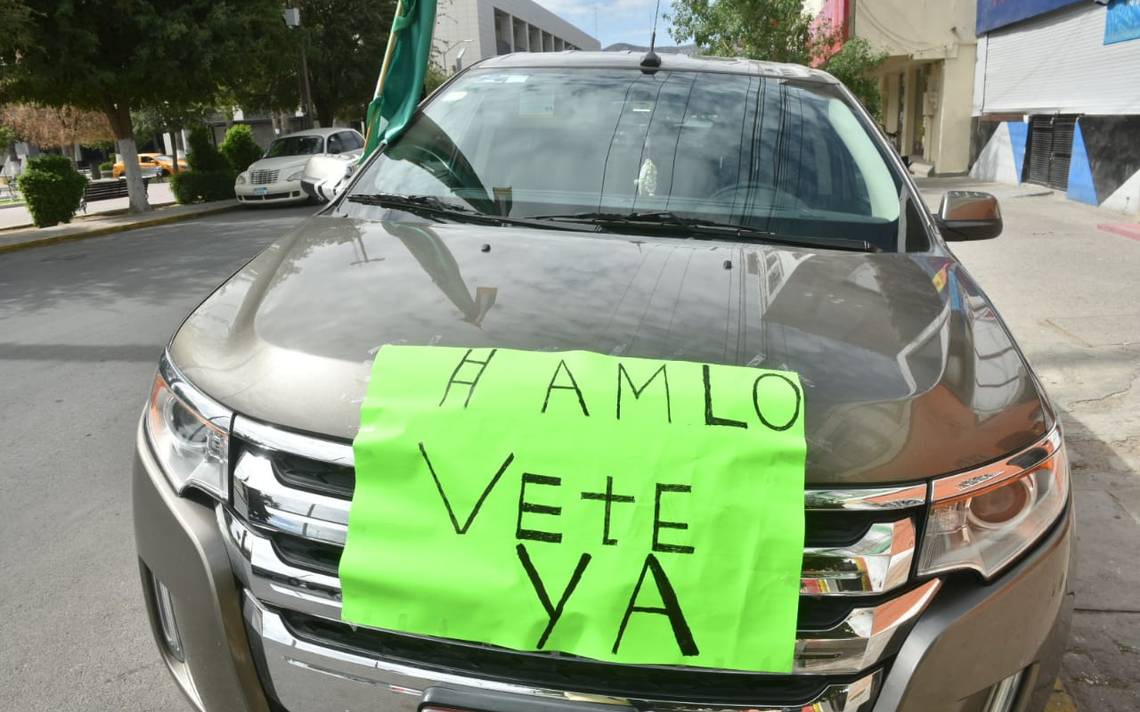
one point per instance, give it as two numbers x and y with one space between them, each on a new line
622 510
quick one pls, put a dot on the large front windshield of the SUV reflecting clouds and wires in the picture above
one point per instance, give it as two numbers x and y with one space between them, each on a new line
783 157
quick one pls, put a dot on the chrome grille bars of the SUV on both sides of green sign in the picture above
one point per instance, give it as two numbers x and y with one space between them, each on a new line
289 519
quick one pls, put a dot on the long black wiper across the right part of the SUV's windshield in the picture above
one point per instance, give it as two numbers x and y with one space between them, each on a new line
670 223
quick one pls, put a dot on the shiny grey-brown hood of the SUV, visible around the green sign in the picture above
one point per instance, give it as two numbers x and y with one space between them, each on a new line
908 371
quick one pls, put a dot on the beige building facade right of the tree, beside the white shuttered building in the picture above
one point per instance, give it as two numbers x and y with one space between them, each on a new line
929 77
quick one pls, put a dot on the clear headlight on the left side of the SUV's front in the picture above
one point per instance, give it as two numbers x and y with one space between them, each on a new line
190 433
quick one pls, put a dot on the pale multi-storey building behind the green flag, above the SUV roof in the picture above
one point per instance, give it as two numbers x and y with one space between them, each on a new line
468 31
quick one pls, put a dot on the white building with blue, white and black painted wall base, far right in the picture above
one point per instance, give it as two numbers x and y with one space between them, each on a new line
1057 99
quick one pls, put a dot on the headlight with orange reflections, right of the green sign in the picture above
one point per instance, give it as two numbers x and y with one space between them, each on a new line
986 520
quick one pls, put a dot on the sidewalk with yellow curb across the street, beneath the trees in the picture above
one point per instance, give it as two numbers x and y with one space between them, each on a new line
105 224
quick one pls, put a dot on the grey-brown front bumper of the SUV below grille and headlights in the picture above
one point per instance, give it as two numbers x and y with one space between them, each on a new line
238 656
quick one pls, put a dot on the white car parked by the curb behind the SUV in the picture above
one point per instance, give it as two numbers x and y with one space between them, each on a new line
276 178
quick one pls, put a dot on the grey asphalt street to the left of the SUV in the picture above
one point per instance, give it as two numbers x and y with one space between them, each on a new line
82 329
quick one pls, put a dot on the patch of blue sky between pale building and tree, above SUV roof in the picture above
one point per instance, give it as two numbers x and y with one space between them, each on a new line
618 21
